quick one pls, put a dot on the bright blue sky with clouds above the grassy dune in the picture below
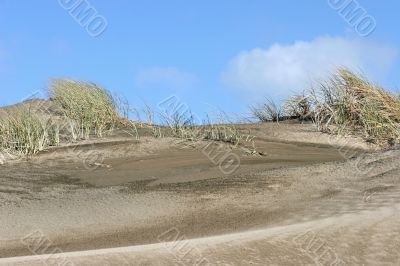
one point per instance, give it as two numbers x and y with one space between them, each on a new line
212 54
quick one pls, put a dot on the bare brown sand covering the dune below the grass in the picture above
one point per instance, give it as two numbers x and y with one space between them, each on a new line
303 199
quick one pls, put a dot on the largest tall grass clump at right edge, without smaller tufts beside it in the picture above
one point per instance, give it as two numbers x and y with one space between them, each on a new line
352 104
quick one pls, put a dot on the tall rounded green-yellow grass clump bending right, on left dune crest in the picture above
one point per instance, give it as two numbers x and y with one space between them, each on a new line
92 109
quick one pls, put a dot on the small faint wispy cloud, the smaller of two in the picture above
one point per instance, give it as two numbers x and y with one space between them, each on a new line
164 76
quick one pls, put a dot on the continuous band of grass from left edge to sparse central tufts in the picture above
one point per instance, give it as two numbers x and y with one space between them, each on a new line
83 109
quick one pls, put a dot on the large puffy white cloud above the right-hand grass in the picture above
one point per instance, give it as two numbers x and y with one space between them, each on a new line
283 69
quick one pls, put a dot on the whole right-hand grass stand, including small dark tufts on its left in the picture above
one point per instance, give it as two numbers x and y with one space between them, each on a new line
346 103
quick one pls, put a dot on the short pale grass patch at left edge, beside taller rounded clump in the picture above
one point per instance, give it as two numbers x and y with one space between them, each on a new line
25 133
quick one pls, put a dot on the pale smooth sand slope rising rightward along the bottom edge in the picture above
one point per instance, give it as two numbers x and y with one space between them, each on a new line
364 238
